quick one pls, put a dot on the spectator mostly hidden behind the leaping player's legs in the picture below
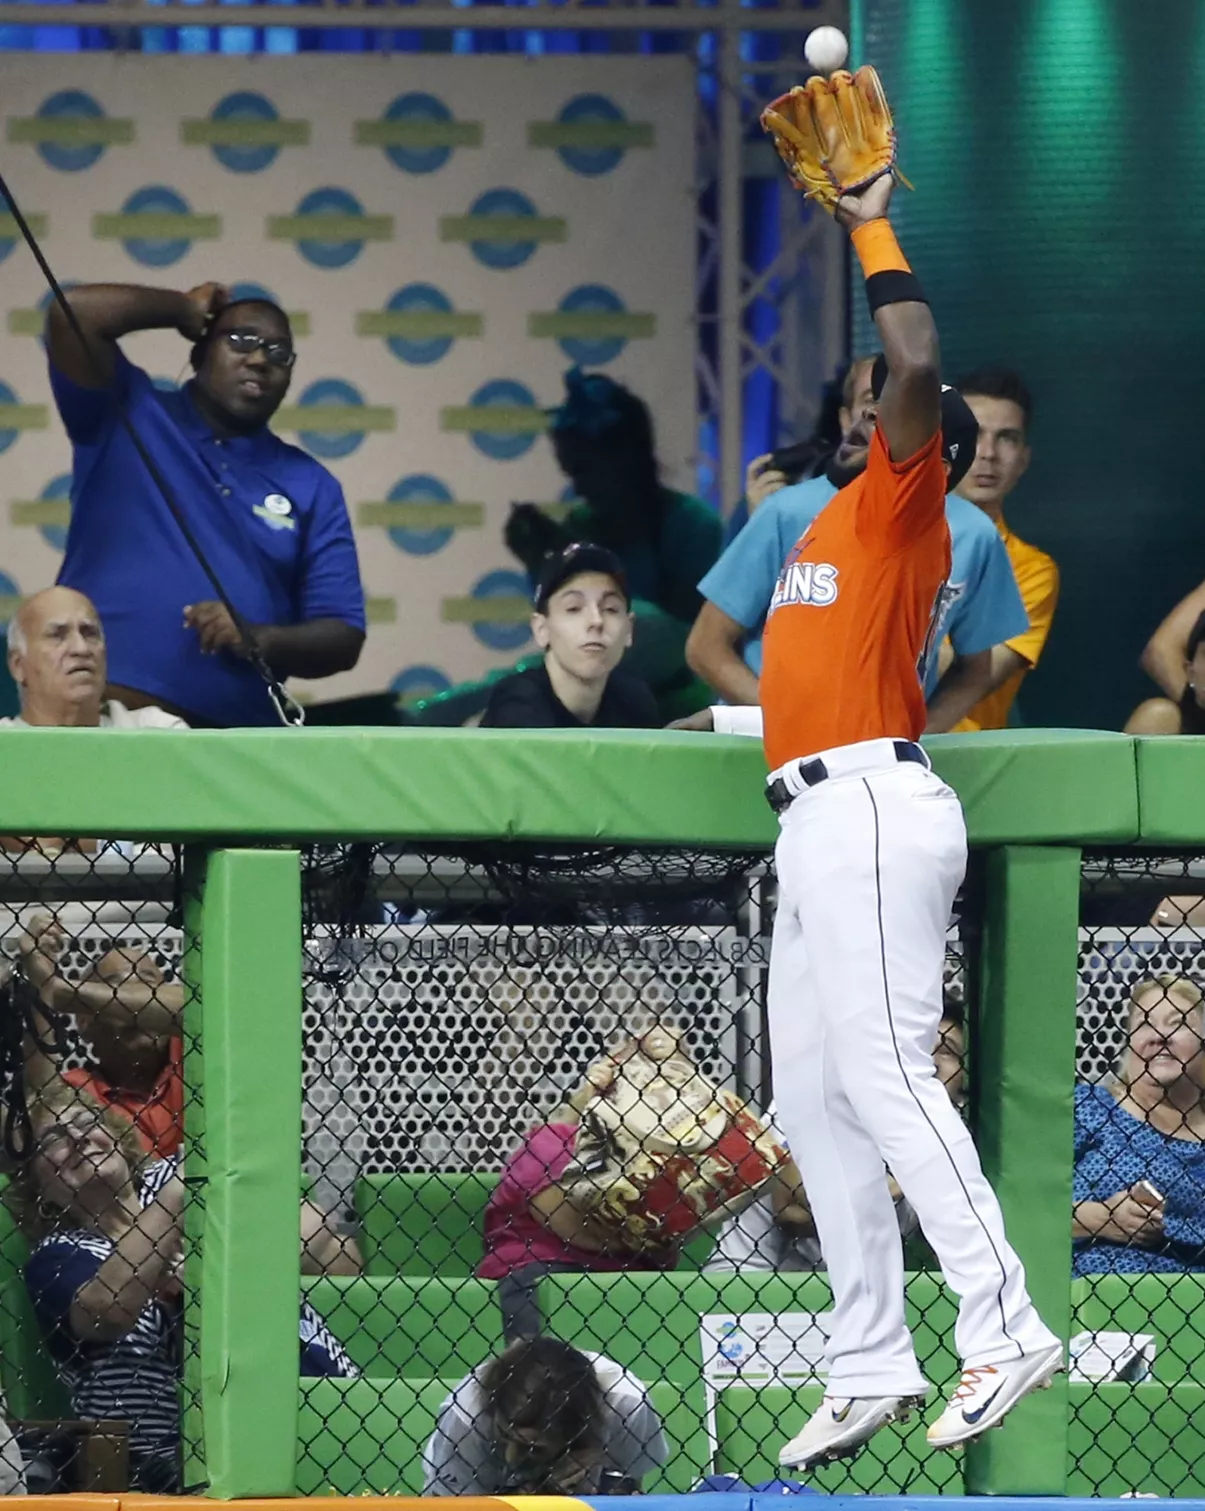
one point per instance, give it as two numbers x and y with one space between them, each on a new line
776 1232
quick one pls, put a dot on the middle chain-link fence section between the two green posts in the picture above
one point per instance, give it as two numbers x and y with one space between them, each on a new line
504 1057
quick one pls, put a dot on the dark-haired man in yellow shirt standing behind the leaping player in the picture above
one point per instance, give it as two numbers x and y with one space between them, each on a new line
1005 409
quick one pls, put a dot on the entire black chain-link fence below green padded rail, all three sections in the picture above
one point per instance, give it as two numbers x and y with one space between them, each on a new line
548 1235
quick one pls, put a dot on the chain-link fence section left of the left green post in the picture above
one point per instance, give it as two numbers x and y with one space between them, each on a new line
96 1202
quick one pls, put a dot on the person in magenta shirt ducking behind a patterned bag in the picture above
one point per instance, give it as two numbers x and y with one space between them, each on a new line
533 1229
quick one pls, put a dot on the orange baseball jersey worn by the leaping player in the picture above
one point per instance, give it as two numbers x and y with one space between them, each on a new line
855 611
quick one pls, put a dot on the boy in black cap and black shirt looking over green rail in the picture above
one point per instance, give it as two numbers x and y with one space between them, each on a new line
583 623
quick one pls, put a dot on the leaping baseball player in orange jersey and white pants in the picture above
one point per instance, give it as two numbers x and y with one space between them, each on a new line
870 857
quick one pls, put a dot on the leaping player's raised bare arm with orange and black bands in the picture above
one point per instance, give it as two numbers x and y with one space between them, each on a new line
911 404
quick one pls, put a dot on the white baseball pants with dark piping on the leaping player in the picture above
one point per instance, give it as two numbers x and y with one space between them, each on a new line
870 862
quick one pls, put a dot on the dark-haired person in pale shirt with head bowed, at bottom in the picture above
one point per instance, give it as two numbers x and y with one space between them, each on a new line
545 1420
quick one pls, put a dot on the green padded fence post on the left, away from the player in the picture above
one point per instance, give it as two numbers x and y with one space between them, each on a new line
250 980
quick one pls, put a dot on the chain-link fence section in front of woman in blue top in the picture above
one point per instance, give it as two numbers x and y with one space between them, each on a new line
1139 1200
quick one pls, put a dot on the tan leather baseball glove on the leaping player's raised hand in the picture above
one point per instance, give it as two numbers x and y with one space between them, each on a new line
837 138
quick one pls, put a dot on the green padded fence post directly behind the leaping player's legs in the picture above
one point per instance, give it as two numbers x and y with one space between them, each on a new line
1026 1110
